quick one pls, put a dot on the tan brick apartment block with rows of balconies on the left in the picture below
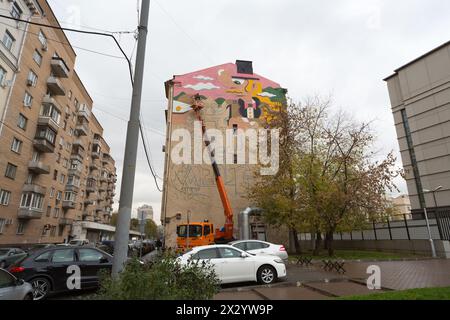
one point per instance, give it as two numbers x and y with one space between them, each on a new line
56 169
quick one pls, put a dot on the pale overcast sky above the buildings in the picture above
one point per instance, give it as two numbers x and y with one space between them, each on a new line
343 48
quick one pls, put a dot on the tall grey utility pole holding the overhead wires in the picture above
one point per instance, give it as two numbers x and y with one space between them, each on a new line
129 162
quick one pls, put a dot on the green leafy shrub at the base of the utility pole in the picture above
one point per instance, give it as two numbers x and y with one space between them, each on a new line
162 279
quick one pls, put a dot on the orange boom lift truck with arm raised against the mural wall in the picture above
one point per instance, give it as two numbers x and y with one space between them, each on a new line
201 233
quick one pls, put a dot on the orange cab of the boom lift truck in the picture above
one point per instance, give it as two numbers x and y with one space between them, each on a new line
200 234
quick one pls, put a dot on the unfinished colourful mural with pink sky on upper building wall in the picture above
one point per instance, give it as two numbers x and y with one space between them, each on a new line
249 96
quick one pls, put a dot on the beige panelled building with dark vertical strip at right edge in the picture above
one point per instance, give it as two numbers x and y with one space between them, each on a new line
420 99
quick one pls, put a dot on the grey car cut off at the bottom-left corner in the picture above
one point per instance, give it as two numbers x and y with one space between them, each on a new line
12 288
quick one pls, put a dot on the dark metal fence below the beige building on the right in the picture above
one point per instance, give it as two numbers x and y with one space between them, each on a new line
398 228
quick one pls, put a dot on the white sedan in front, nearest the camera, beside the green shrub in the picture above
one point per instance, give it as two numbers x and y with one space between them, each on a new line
234 265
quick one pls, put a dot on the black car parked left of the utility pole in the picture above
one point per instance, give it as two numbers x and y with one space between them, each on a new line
54 269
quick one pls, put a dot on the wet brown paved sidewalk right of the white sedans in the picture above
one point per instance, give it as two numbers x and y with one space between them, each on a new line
312 283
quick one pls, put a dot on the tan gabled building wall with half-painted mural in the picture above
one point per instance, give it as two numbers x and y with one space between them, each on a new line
234 98
